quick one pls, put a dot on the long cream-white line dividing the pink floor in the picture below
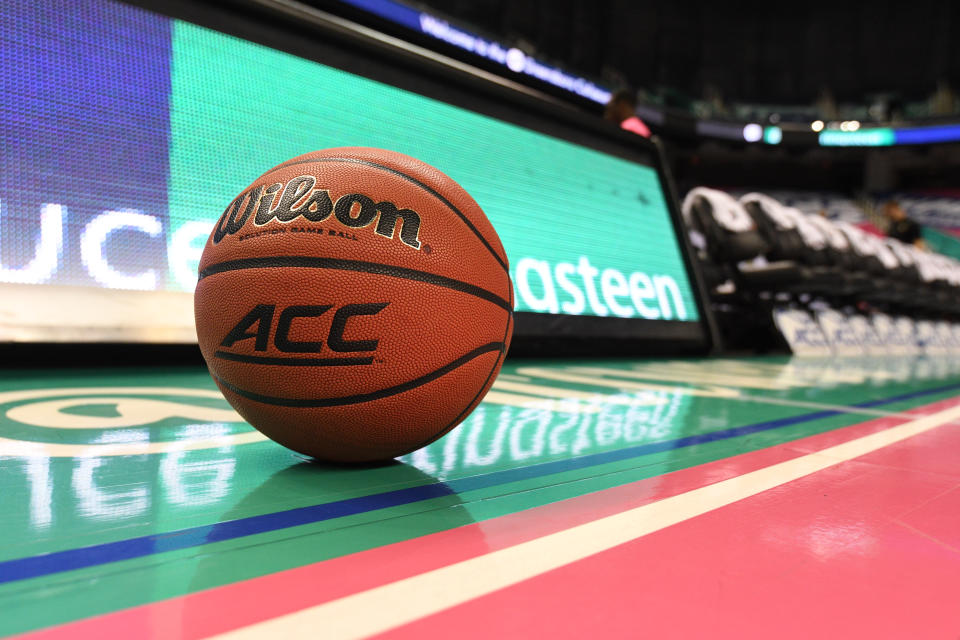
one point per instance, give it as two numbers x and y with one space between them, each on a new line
391 605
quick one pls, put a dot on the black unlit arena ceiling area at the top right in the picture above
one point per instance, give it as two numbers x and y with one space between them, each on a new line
751 52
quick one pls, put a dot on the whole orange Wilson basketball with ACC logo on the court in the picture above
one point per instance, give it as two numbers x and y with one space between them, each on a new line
354 304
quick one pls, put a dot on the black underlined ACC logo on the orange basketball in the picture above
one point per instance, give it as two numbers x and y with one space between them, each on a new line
258 324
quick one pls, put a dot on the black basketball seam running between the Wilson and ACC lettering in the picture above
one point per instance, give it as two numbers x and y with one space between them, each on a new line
356 265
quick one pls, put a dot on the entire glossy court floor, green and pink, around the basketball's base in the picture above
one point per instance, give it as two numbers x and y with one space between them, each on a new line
748 498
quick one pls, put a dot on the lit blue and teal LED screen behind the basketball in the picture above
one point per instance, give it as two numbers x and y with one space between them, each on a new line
125 133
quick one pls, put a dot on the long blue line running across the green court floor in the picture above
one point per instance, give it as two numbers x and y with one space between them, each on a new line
100 554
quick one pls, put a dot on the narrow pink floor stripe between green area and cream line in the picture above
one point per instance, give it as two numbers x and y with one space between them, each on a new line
229 607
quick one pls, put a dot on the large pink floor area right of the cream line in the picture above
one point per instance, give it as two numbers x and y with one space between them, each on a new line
865 549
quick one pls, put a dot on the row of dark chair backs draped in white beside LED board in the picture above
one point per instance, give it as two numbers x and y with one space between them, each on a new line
755 245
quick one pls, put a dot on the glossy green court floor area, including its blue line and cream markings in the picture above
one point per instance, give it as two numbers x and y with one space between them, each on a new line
127 486
